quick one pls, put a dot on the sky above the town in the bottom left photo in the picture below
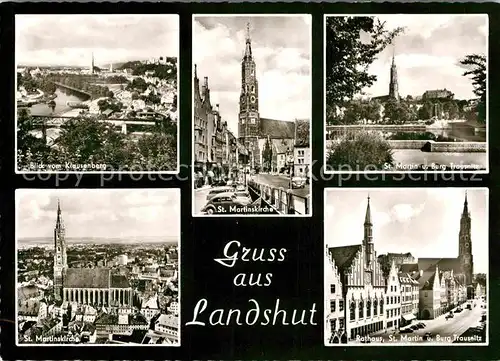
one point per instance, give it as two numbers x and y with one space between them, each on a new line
102 213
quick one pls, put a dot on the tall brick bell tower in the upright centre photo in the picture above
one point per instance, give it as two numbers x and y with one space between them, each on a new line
249 120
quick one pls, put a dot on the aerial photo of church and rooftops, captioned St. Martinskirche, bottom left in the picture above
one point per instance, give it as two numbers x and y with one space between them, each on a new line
98 267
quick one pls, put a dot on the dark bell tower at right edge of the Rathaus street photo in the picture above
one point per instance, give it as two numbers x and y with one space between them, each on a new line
465 243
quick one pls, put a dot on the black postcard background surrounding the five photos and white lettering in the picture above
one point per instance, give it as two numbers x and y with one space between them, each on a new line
297 282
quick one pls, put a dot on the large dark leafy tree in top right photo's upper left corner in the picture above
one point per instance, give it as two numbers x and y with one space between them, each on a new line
348 56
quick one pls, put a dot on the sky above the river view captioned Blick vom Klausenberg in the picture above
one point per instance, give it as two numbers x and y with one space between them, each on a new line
70 39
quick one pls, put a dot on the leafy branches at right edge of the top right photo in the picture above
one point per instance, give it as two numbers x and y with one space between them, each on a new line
476 64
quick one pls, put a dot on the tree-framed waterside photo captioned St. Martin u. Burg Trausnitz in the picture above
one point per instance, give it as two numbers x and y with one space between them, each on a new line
406 92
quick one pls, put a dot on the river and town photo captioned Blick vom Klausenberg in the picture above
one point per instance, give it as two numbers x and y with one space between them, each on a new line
102 99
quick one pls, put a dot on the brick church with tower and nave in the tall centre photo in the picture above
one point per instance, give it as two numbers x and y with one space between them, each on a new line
253 130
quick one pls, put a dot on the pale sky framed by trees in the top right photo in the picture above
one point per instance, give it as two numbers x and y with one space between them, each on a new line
428 53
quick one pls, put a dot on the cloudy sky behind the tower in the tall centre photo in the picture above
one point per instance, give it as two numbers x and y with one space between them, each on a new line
281 46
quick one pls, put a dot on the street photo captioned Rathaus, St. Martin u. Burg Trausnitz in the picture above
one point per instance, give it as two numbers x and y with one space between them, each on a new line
418 274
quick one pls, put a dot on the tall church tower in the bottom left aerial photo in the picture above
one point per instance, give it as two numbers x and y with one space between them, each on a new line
60 258
